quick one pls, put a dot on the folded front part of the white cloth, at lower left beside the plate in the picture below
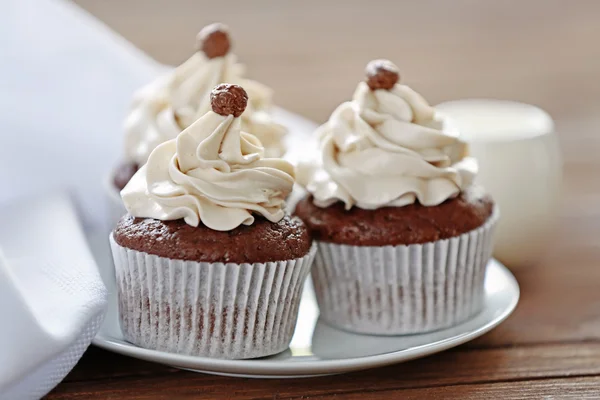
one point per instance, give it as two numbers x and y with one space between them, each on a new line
52 298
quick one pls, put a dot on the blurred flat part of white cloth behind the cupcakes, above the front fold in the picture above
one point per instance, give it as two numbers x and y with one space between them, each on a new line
66 83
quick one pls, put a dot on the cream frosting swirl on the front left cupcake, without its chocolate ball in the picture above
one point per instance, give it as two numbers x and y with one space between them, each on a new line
213 173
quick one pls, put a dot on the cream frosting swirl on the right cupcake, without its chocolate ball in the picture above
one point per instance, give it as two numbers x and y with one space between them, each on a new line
387 148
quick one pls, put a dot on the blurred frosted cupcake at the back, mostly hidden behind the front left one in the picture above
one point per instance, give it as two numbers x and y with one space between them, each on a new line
162 109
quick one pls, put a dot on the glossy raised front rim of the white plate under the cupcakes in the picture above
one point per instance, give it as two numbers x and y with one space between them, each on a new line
283 368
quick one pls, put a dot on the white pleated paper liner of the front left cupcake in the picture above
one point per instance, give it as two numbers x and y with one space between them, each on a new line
218 310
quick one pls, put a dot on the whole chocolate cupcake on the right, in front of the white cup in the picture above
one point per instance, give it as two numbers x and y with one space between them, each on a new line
403 235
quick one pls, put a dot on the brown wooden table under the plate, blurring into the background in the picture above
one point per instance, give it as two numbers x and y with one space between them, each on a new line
312 53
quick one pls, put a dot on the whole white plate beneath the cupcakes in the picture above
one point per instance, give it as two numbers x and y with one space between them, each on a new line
318 349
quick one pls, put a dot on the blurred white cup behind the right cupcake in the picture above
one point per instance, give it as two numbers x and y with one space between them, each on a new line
520 164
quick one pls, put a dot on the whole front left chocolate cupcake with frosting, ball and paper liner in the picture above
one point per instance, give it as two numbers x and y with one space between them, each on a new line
207 262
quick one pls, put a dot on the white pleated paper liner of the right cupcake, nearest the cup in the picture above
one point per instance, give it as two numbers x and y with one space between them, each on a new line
392 290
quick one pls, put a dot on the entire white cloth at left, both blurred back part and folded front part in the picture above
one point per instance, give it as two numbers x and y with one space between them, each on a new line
60 69
